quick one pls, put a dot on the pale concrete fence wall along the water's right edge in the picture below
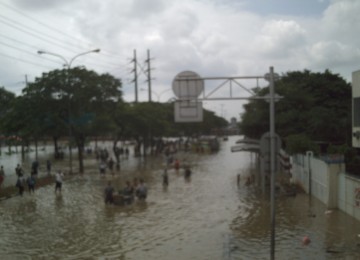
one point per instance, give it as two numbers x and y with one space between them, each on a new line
325 178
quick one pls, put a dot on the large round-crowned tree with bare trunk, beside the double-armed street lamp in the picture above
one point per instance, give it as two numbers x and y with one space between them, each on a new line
75 100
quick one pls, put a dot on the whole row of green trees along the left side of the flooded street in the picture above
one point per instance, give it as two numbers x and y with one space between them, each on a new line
79 103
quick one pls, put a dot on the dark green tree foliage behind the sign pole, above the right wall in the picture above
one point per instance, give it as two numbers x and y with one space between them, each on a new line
317 105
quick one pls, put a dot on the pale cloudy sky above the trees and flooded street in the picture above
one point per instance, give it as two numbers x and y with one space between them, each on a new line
213 38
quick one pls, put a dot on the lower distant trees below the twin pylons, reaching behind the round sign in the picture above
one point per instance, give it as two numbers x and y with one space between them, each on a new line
148 120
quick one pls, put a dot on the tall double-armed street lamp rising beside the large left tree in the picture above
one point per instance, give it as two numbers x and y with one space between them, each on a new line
68 65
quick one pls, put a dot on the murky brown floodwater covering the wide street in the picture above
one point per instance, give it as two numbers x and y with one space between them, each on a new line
207 217
